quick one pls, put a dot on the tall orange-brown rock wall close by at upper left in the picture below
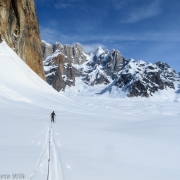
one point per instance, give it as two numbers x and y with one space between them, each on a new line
19 27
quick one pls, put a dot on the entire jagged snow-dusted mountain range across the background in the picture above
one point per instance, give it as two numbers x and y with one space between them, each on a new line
63 63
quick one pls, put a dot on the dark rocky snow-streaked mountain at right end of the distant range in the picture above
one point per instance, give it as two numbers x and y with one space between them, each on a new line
144 79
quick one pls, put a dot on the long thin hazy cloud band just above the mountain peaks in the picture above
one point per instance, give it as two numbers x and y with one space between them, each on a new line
51 36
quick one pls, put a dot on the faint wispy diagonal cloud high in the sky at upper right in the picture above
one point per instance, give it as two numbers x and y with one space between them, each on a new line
143 13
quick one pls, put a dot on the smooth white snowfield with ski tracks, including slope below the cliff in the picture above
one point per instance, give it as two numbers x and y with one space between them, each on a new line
94 138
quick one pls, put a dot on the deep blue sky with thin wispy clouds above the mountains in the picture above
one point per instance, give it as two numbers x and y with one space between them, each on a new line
146 30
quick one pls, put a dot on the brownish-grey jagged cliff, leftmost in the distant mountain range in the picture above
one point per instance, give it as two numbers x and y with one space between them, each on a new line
58 63
